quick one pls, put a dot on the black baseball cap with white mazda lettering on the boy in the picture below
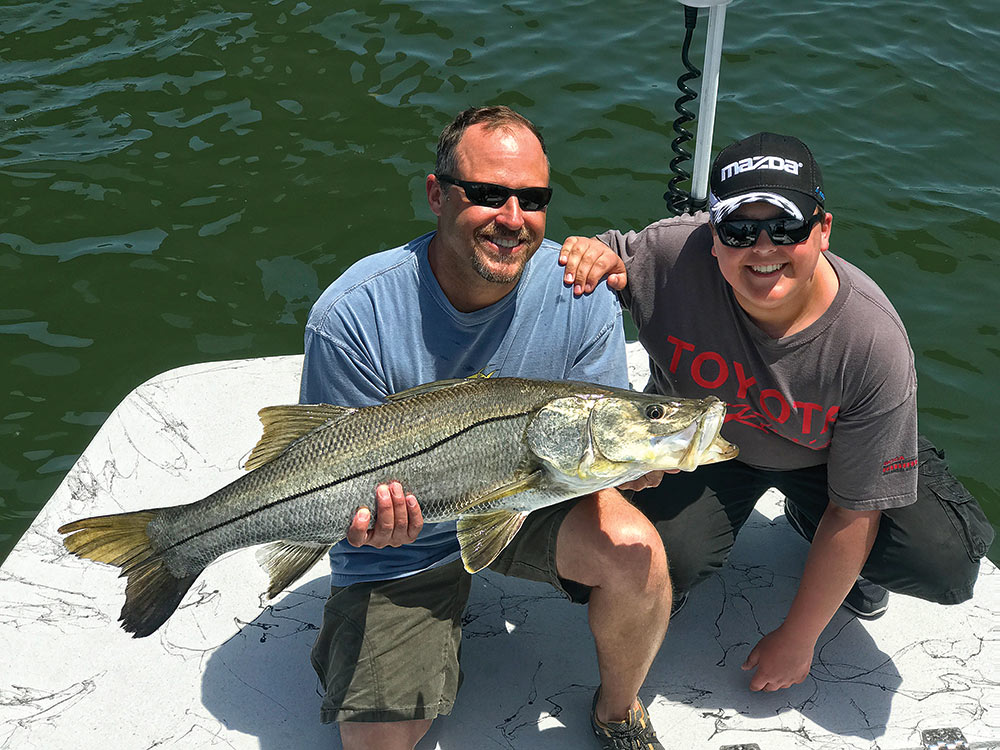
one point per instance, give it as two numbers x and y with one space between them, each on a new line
777 169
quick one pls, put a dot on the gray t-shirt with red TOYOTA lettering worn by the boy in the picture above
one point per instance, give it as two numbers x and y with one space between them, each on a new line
841 392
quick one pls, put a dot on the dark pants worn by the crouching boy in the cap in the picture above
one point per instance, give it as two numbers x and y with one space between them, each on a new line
930 549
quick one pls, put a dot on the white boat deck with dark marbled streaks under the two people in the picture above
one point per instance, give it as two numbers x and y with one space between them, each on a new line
230 671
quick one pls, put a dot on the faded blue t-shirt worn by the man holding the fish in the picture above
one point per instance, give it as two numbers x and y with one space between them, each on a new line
385 326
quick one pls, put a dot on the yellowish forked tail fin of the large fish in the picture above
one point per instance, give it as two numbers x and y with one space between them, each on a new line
152 592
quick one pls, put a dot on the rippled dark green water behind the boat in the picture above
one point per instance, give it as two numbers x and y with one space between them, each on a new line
179 180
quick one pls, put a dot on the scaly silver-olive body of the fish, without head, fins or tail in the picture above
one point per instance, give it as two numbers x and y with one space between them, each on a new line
457 444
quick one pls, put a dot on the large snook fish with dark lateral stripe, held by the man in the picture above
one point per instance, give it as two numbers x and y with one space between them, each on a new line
484 451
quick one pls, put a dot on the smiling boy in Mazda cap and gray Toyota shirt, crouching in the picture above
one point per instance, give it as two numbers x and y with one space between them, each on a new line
747 303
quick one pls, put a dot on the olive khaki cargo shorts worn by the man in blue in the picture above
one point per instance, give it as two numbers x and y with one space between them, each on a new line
389 650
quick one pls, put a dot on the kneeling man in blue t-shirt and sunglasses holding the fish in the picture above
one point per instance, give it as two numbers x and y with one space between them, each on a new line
478 296
